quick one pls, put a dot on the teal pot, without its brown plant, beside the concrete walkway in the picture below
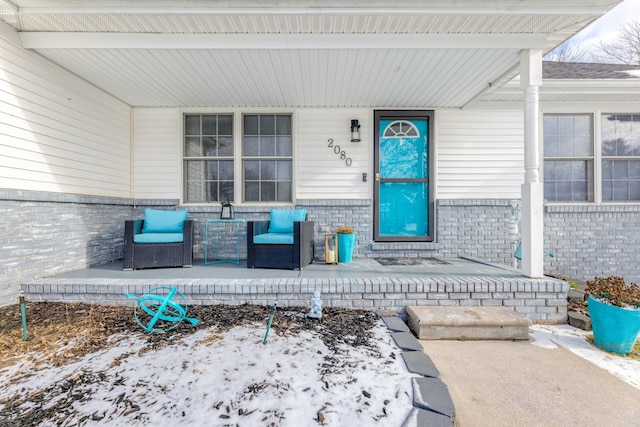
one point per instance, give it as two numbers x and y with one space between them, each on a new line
615 329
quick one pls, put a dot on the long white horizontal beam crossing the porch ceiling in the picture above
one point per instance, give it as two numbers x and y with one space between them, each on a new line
58 40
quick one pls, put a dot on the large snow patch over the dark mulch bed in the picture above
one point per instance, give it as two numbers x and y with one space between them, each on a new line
225 379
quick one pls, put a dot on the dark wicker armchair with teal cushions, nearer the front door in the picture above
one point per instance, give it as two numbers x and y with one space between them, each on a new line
285 241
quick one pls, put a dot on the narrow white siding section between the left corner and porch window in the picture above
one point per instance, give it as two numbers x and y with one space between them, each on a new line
157 153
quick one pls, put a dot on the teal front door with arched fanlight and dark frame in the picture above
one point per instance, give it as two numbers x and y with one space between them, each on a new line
403 193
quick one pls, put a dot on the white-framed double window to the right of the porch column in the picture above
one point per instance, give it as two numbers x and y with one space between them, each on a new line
586 165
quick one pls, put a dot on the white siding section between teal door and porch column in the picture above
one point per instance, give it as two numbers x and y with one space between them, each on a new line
479 154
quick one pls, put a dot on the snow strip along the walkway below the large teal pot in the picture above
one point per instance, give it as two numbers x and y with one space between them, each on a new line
575 340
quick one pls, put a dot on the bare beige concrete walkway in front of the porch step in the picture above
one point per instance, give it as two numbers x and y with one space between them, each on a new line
497 383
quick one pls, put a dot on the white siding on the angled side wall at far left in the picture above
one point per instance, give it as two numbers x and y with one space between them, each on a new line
57 132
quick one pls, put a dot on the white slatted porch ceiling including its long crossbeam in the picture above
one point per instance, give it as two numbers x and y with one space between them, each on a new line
435 54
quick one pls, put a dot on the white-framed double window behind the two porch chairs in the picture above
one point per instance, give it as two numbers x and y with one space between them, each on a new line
264 160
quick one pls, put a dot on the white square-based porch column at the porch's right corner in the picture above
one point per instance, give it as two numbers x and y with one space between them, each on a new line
532 190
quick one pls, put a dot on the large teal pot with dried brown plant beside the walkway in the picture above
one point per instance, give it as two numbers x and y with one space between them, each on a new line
614 308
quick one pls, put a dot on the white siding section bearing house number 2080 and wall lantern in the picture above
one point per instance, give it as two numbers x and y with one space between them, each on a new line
320 172
